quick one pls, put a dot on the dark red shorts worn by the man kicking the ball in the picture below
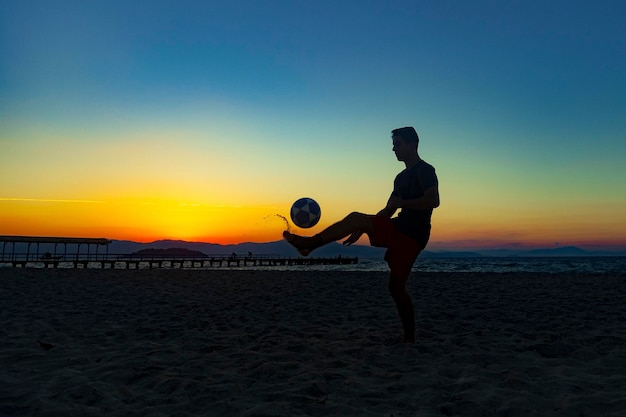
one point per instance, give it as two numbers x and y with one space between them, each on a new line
402 251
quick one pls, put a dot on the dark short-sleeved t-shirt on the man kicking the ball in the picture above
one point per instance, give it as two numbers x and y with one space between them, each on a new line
410 184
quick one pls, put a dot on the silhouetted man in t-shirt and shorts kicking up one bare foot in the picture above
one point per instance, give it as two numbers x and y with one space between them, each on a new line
416 194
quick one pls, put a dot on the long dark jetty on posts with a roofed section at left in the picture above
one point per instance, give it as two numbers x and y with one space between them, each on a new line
69 252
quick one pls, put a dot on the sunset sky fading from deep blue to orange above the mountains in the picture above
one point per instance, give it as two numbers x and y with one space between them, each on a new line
206 120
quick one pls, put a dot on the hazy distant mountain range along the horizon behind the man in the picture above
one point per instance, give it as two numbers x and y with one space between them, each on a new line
282 248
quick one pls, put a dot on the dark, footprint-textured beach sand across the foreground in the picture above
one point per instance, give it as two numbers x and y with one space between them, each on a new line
266 343
